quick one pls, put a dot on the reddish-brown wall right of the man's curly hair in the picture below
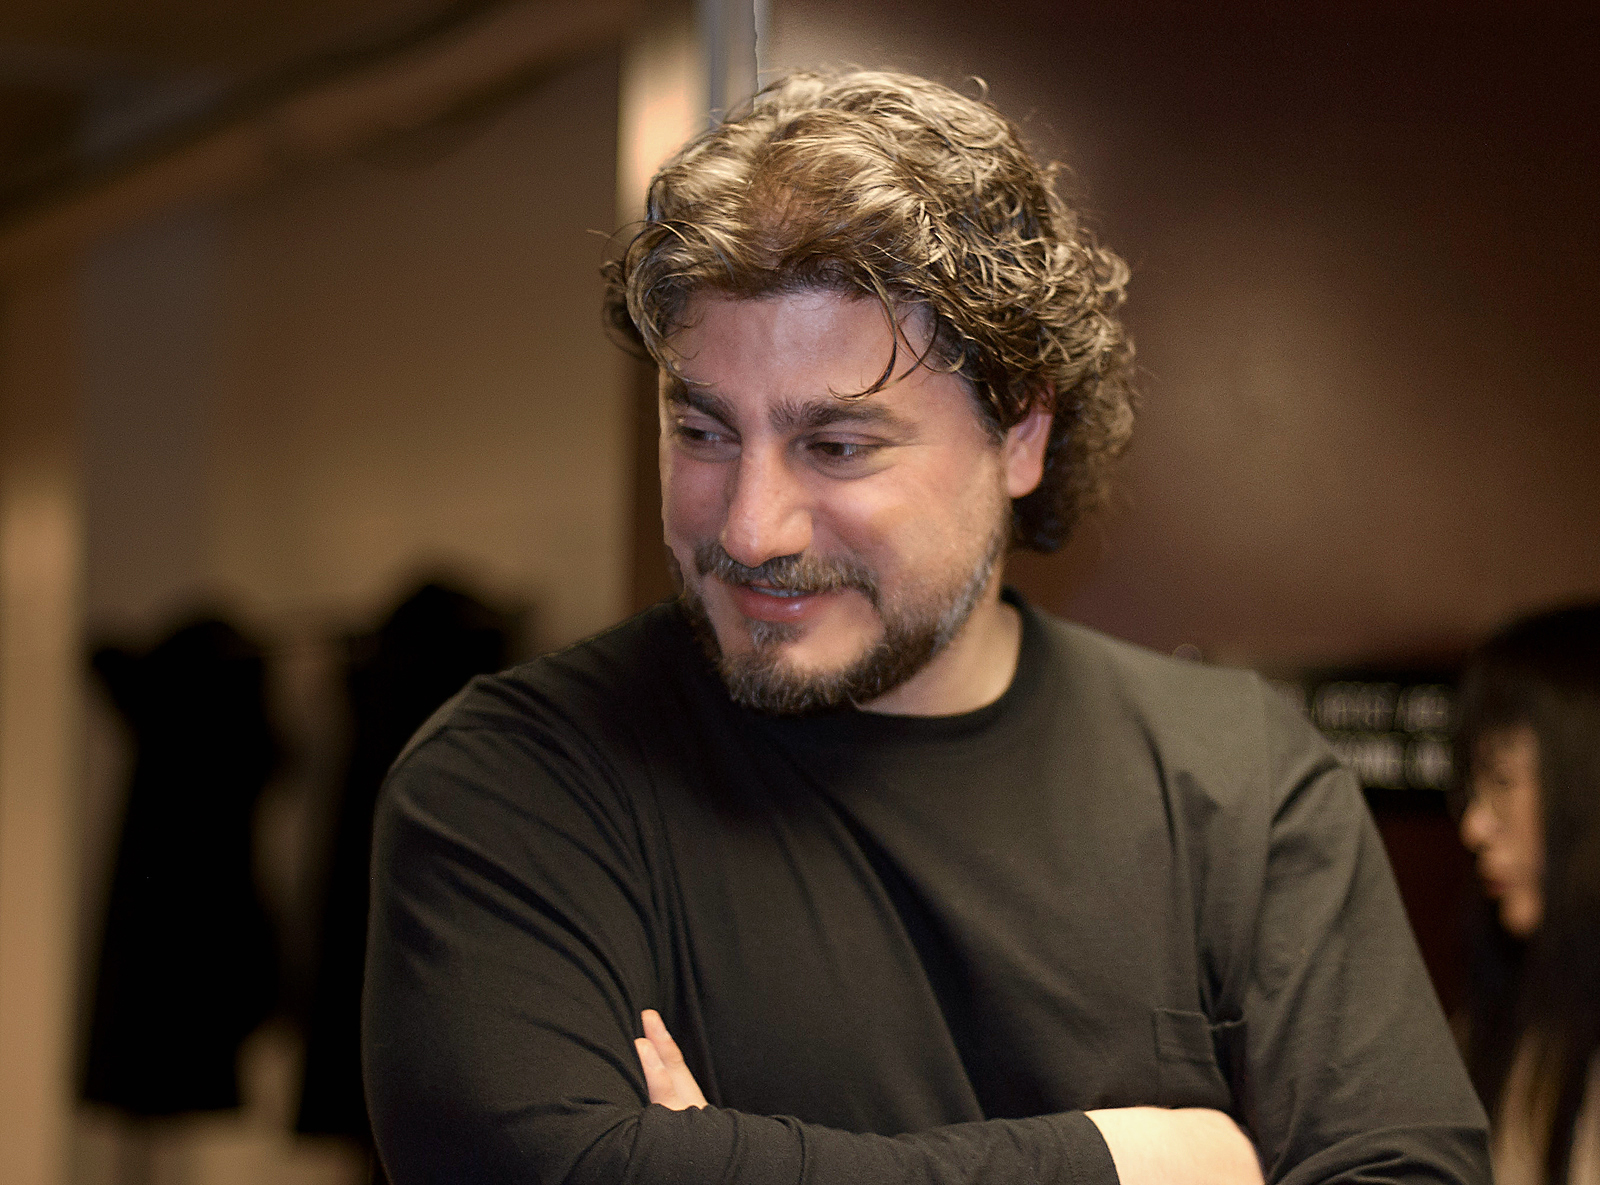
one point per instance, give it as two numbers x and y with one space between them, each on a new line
1366 298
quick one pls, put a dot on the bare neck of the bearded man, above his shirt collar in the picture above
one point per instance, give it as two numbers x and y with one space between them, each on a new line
972 672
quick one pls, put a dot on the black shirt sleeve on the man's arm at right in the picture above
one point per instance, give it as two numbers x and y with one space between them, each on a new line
1350 1072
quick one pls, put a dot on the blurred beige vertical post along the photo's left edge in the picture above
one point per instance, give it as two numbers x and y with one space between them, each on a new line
41 575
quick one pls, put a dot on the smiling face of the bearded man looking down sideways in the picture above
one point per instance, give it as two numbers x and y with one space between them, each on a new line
830 546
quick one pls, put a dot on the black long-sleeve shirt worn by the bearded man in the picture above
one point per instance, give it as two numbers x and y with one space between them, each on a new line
892 949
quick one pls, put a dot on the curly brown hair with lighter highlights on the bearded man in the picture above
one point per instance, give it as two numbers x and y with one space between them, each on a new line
905 191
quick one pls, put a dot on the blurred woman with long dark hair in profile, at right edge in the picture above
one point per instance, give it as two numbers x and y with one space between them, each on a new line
1529 748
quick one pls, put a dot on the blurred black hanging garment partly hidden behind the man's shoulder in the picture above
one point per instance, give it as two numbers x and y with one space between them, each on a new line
428 648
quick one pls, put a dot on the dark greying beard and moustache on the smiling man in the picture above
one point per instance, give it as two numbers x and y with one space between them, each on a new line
913 636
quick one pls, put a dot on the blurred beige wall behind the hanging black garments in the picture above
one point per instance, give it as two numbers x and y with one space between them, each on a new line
297 402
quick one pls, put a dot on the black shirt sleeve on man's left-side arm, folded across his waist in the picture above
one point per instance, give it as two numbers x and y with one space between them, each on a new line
514 941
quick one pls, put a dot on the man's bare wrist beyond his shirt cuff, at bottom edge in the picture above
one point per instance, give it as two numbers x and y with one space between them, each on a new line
1190 1146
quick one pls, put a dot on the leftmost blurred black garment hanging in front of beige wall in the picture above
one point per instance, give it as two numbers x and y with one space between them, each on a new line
188 965
